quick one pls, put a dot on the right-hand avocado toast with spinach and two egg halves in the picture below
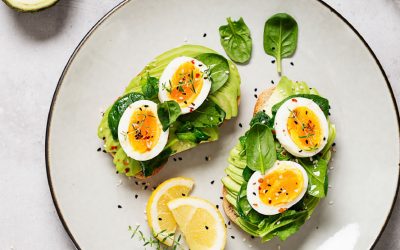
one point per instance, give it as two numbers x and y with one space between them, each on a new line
277 172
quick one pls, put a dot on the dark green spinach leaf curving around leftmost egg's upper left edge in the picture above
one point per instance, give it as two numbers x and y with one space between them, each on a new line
118 109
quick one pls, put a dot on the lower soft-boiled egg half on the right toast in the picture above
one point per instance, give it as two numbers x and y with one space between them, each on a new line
278 189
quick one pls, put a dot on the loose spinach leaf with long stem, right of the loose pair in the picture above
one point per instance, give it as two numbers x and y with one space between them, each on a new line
280 37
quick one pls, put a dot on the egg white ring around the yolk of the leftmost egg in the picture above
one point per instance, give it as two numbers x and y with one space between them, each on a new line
124 125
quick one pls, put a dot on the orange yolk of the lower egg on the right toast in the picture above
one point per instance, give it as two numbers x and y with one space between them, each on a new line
281 186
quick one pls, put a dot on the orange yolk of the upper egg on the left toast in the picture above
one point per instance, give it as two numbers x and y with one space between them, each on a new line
186 84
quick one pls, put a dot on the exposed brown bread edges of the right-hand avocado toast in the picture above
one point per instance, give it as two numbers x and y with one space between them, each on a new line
259 106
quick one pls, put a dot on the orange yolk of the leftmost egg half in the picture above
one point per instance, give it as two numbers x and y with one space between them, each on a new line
144 130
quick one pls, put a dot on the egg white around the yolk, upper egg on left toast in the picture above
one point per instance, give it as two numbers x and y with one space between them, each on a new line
167 75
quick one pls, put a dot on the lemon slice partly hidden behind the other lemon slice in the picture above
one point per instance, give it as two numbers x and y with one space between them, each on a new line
159 216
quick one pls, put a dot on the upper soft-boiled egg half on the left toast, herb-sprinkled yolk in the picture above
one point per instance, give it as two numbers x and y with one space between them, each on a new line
186 81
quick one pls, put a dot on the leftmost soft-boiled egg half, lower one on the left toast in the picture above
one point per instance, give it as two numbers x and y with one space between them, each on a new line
140 131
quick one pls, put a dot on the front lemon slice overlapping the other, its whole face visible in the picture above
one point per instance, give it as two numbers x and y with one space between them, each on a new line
200 222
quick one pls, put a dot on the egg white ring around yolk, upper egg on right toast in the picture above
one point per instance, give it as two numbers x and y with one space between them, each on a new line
282 134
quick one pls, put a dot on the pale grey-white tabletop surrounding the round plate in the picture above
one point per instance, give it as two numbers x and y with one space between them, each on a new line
34 49
